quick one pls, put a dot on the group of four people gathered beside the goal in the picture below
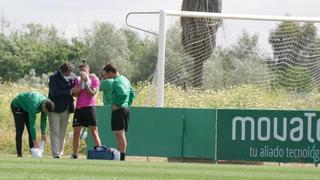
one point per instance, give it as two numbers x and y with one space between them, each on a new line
63 87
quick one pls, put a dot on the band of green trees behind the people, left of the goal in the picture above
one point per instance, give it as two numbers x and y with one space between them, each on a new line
43 49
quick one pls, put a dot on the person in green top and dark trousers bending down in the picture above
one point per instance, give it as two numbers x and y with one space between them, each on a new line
24 109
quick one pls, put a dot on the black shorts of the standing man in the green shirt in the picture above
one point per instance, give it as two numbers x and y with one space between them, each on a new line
120 119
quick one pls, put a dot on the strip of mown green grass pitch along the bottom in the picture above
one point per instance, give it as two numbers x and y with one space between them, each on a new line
48 168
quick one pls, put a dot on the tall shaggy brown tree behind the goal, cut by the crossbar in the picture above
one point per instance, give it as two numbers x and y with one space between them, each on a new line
198 34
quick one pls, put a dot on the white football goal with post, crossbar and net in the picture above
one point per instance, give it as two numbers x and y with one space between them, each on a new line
218 51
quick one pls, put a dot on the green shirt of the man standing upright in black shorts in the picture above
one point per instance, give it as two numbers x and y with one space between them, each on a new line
121 91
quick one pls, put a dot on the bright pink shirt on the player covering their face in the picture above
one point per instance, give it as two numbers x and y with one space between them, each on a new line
84 99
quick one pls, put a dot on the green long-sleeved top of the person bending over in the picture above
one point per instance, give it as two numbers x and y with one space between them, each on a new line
31 102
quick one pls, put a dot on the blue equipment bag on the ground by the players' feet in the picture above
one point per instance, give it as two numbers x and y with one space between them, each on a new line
101 153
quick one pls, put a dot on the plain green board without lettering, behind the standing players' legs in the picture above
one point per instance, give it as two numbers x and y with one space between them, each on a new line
165 132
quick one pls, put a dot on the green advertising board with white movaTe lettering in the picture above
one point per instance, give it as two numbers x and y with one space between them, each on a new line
268 135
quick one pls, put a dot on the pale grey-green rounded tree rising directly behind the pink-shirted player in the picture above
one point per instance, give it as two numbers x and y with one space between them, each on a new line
108 44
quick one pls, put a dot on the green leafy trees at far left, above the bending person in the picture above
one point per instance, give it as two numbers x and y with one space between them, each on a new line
36 47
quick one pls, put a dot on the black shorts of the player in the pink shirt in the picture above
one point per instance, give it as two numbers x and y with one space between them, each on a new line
85 116
